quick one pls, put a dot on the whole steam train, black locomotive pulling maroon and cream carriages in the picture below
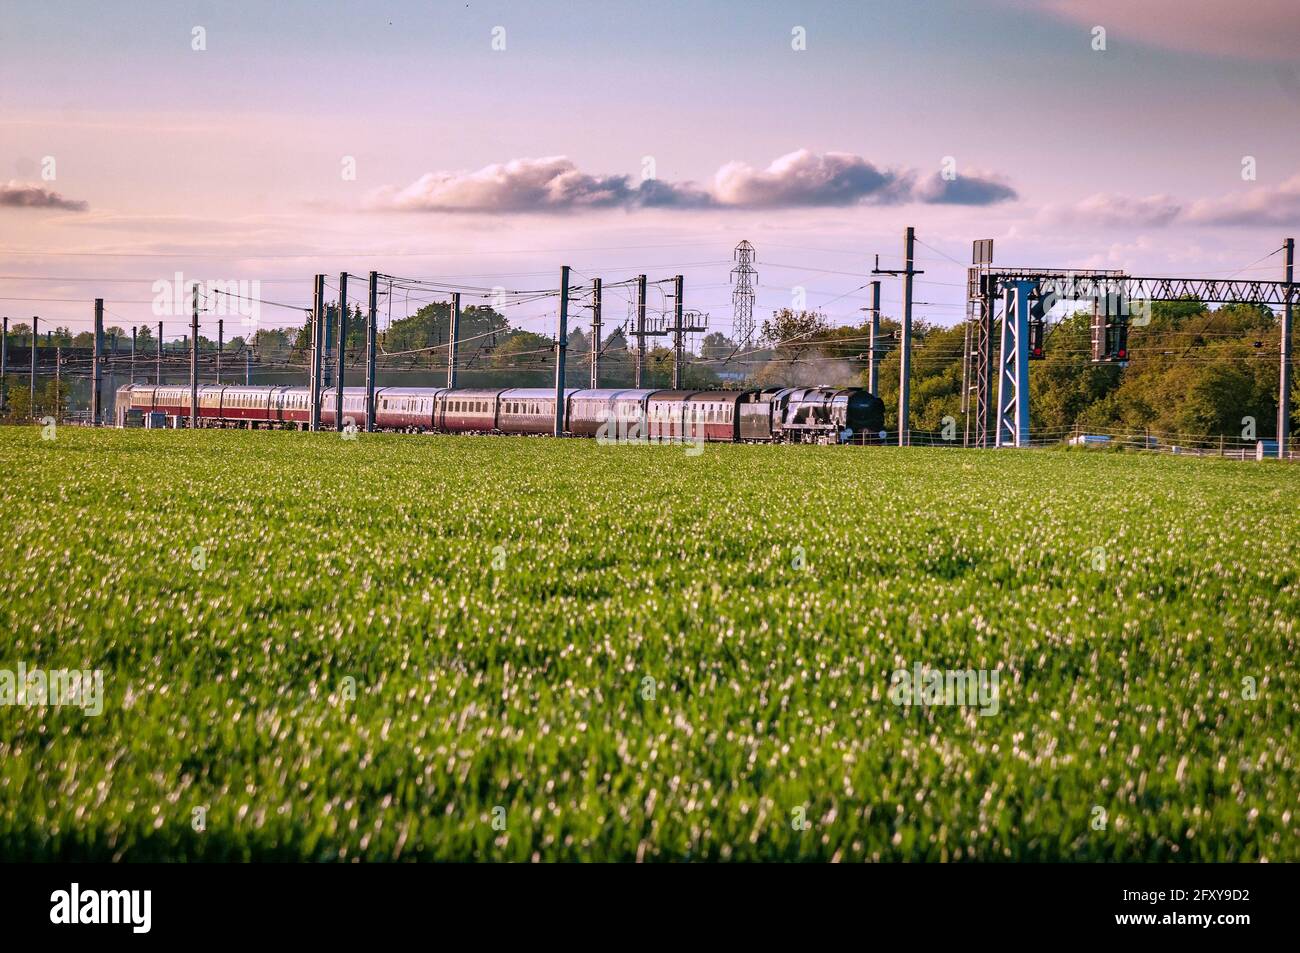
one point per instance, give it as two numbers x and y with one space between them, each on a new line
783 415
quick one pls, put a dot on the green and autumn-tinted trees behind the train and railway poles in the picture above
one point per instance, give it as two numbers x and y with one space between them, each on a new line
1193 371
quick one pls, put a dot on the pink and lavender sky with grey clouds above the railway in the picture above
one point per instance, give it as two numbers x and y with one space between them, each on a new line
489 144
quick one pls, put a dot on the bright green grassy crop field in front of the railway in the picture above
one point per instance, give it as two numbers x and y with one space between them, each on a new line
631 653
